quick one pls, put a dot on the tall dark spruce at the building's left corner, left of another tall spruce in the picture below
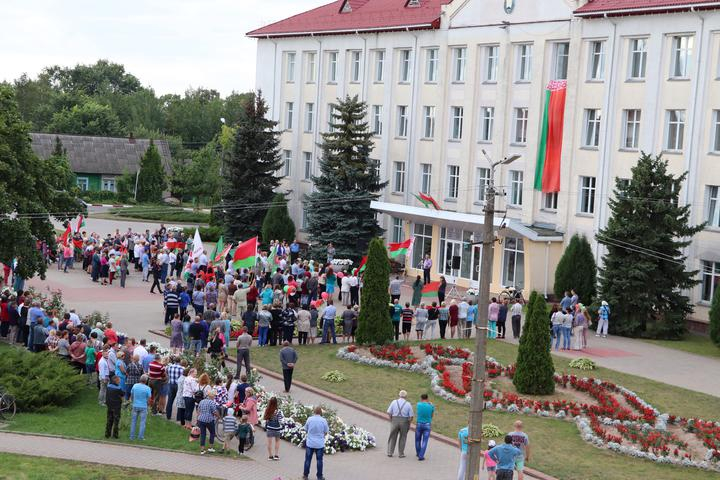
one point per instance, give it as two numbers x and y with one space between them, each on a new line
249 173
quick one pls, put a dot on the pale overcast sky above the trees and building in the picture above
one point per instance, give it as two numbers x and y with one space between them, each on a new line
170 45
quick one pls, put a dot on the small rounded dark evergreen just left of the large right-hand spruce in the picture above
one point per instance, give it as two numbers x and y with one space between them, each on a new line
576 270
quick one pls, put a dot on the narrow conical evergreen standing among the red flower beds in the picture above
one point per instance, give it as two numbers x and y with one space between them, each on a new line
535 369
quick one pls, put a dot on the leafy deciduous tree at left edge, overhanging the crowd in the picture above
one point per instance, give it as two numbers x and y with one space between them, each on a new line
31 187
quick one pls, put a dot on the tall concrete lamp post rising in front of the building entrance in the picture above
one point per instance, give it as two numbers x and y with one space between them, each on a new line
481 325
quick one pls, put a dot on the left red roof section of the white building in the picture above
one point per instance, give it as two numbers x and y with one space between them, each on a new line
360 15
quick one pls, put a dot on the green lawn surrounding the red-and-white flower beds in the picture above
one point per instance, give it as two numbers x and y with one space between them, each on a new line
557 448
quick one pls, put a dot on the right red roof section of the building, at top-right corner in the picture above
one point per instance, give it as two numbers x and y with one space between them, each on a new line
637 7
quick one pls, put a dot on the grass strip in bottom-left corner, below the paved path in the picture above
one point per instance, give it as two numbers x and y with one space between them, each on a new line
24 467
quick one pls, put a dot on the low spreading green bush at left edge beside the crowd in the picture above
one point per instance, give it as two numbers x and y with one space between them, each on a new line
38 381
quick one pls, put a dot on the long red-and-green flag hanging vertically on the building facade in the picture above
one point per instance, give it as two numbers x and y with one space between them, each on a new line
547 170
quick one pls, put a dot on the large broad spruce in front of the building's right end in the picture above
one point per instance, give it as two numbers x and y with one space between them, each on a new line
644 273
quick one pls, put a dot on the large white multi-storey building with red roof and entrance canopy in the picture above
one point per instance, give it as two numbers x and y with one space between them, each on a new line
449 82
